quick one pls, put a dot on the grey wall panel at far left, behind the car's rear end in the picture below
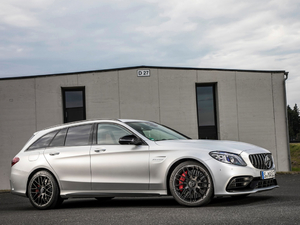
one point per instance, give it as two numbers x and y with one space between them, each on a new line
17 121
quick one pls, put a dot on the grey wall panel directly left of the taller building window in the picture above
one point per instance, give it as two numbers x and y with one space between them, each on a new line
178 109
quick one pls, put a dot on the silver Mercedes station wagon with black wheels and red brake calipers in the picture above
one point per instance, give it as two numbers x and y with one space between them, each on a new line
113 158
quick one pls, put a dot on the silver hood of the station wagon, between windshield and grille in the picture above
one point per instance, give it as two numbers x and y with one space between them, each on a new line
210 145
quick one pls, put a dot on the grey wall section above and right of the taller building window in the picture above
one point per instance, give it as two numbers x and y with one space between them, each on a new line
251 108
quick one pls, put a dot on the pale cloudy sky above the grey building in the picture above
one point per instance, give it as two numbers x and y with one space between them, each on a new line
47 36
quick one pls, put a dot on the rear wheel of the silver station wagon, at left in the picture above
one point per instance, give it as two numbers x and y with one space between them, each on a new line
43 191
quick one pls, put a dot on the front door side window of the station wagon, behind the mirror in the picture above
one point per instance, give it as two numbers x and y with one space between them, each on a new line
109 134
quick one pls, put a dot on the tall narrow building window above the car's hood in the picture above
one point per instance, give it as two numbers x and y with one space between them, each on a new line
206 108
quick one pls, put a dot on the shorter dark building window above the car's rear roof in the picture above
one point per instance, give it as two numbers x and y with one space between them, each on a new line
74 104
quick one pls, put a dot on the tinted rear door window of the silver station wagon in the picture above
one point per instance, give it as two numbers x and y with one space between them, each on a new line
78 136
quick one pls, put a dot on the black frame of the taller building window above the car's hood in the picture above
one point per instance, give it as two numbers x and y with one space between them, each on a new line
216 128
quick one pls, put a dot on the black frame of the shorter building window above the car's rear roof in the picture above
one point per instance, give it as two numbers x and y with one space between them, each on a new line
66 89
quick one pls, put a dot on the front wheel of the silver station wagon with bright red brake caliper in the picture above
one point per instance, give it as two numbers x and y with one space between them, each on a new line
191 184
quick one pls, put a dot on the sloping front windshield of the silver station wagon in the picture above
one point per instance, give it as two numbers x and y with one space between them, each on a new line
156 132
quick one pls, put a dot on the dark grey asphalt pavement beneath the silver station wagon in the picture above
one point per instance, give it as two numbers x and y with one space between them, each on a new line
279 206
